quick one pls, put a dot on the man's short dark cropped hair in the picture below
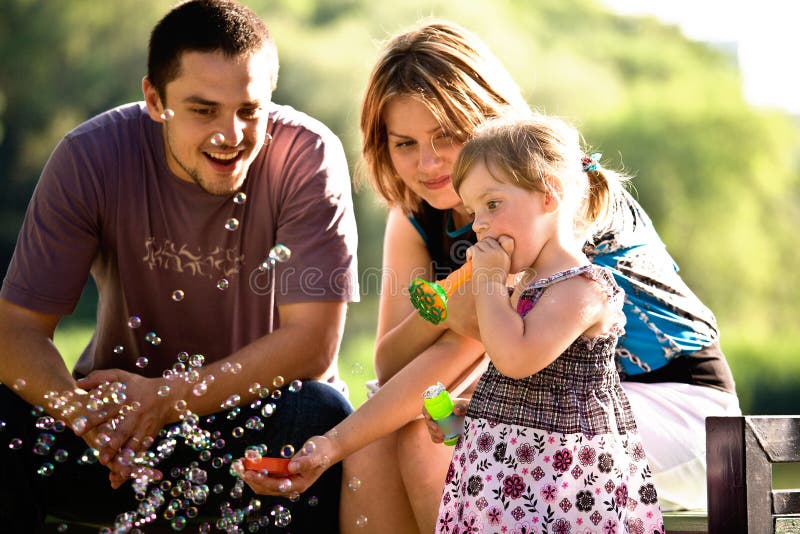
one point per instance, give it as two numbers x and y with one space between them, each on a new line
205 26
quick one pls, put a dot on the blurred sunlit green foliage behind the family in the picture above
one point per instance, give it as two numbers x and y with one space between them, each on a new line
720 179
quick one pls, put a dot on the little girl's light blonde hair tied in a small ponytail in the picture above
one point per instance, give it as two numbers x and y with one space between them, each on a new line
543 153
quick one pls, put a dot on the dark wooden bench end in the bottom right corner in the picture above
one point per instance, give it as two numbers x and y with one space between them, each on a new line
740 452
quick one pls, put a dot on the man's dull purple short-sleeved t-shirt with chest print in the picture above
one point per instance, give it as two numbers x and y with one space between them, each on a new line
108 204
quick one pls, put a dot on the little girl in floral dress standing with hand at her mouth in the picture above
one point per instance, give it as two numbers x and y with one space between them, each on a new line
550 442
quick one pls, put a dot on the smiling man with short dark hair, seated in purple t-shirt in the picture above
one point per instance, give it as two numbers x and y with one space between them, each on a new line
173 205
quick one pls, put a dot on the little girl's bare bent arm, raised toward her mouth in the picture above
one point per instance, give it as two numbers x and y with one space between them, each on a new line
521 347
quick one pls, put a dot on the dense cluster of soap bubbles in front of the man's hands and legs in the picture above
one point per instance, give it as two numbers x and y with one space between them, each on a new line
178 496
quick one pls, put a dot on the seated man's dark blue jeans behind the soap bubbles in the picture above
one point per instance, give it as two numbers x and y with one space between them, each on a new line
36 480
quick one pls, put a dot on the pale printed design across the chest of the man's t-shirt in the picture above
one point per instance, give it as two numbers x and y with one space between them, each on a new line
171 257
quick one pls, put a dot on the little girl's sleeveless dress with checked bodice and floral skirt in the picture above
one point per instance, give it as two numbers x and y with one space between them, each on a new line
555 452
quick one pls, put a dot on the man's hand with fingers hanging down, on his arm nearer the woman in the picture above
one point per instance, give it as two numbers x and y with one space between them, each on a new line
146 409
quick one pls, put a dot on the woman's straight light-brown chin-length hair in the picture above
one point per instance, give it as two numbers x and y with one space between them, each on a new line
453 74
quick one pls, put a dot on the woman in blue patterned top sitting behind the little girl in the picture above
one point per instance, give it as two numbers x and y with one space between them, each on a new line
429 90
